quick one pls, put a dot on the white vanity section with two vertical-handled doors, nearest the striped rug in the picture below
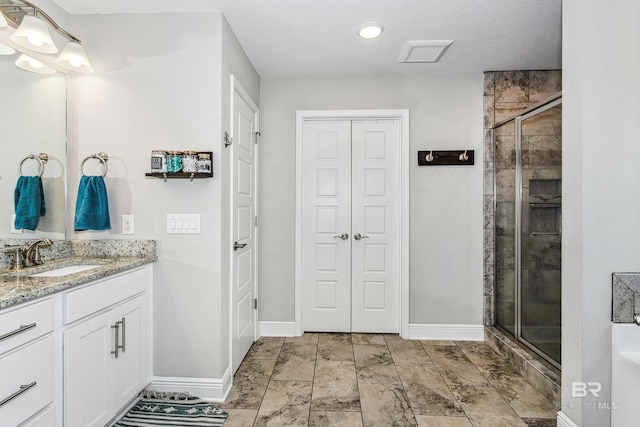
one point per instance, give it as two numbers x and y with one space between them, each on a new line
107 347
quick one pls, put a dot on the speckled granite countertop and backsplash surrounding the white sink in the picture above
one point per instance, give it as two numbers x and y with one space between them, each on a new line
112 257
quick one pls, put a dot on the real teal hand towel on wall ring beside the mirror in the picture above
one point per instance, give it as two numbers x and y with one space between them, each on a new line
92 205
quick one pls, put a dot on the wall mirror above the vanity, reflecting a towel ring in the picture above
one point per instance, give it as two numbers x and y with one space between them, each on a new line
33 121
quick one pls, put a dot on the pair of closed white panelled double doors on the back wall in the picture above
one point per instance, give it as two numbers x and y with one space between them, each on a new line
350 232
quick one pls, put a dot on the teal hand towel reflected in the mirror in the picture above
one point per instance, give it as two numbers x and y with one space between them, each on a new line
28 199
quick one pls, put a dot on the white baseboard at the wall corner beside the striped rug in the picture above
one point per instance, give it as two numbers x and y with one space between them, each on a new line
212 389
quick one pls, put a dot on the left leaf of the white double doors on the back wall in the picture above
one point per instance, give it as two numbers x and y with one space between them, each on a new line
327 226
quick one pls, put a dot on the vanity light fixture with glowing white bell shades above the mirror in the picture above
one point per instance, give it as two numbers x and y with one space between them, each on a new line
33 33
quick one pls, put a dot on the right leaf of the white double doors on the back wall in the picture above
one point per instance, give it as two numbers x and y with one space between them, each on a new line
375 208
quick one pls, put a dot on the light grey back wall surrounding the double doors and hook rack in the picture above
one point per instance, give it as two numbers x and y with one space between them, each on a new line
445 202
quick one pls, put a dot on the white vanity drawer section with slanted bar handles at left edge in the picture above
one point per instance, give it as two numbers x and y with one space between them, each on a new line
26 362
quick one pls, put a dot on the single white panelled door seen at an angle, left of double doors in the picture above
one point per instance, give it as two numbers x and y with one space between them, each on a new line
243 227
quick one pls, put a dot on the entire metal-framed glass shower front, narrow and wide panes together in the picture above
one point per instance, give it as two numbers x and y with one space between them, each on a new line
528 209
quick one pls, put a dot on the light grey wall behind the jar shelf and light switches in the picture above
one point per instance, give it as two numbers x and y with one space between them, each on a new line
160 82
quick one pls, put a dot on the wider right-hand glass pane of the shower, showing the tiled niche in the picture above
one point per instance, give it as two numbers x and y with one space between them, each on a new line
539 245
